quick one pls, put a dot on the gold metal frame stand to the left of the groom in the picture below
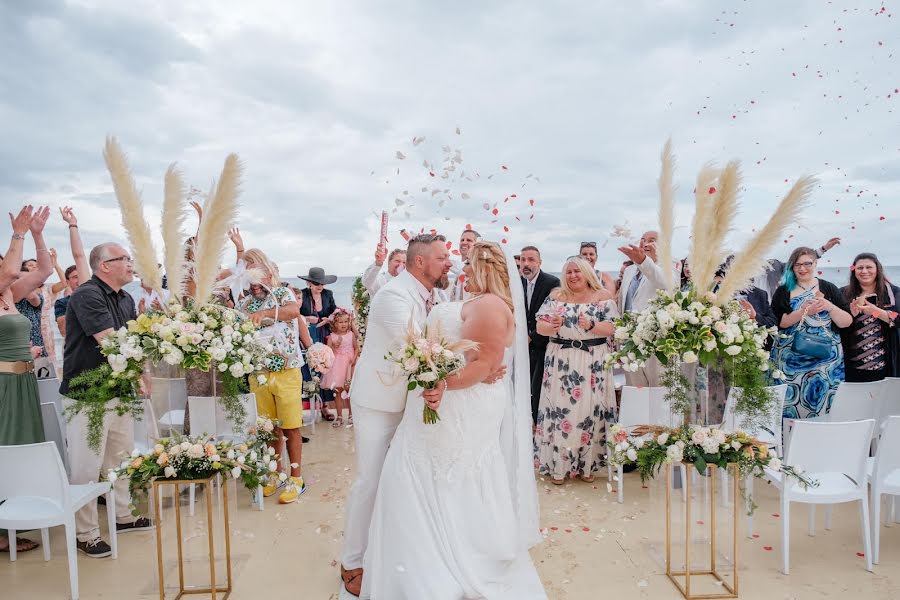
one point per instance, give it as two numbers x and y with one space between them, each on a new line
212 589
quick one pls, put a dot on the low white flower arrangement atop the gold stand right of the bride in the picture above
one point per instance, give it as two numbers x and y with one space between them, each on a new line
652 447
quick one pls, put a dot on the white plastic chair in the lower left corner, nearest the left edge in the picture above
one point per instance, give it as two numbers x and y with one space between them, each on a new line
37 495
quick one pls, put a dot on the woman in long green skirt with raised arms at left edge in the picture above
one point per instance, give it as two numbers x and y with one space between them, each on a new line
20 408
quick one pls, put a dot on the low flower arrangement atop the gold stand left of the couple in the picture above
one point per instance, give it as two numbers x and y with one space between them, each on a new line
252 461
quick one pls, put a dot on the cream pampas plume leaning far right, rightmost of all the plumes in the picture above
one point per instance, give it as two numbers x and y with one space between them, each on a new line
752 259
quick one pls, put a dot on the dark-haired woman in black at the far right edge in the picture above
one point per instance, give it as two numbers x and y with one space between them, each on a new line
872 343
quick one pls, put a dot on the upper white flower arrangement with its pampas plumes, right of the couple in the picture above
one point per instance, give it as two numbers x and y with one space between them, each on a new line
697 325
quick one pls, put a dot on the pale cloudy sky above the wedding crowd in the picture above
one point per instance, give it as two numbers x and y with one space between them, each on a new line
575 99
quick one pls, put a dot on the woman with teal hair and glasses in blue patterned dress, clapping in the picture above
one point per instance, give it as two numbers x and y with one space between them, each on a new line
804 303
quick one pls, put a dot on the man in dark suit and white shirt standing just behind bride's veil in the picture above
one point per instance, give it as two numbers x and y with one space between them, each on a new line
537 286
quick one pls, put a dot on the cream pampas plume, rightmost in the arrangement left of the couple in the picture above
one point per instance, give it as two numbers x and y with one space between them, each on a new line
219 215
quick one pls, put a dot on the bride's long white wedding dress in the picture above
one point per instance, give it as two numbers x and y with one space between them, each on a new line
444 525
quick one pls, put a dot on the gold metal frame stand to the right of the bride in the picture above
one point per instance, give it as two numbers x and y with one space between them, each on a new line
676 576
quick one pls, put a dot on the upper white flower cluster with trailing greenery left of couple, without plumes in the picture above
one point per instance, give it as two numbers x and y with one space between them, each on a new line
205 337
